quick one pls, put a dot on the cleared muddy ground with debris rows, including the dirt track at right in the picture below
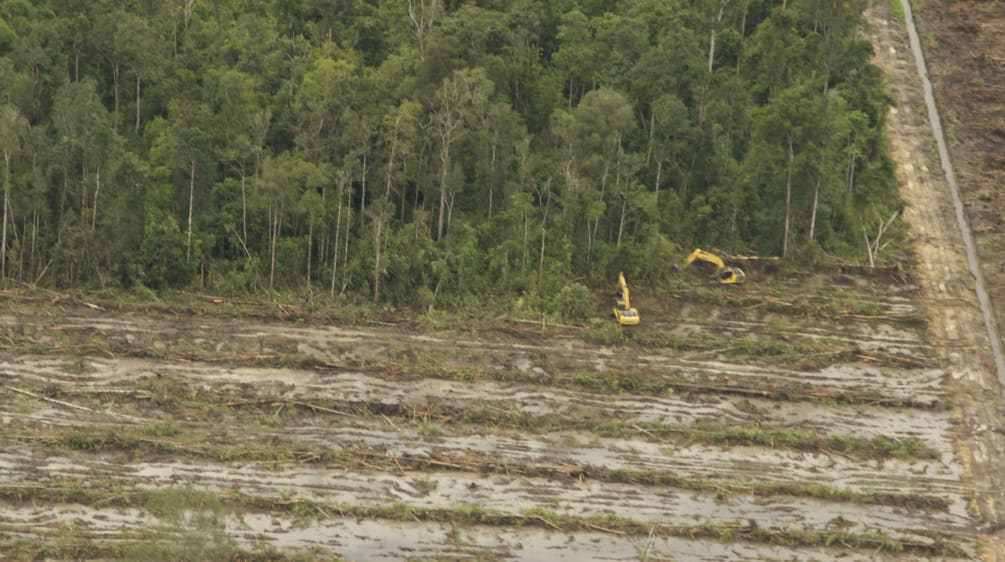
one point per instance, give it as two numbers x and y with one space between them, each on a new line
841 416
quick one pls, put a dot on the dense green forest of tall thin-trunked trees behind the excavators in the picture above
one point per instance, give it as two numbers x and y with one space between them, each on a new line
432 152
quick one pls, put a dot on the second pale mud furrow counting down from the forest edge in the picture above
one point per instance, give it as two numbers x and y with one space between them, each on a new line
385 396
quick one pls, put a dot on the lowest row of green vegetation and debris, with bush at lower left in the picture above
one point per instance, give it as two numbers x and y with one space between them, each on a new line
190 526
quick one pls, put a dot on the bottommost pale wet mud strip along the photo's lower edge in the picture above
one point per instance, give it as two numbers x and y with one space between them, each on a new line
367 539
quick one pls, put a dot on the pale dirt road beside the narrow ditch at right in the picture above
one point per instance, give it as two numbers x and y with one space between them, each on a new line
957 319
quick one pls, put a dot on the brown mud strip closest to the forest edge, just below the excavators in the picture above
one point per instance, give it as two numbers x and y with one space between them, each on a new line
341 348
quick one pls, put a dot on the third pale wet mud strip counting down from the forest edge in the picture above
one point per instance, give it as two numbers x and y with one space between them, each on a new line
568 454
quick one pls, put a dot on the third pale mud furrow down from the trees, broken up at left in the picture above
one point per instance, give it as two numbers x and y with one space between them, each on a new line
584 453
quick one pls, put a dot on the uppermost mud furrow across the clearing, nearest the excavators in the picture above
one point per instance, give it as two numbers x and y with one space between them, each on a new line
349 347
